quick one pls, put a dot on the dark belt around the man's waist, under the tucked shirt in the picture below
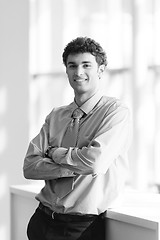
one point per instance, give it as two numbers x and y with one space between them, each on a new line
67 217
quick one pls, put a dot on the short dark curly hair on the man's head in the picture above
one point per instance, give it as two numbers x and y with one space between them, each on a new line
83 45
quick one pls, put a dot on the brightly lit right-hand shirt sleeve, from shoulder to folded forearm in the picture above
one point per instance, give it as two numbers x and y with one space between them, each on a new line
111 142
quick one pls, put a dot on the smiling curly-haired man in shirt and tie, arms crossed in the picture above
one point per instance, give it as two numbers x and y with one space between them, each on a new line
81 155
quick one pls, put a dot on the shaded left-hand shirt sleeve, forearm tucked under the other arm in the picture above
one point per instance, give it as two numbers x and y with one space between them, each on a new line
36 165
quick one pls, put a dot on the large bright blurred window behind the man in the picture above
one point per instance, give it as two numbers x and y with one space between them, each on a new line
130 33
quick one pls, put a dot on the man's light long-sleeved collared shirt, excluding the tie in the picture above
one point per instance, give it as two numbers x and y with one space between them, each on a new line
98 163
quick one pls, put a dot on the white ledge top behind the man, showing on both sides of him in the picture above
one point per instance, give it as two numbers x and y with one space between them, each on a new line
138 208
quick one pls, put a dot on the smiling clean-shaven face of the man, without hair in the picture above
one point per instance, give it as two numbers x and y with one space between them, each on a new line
83 73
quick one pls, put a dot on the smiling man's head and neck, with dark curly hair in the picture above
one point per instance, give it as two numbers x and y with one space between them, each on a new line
85 62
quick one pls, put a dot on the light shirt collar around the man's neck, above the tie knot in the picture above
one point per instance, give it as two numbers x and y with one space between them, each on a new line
90 103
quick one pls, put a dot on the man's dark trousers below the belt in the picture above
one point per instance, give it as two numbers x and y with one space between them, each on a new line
42 227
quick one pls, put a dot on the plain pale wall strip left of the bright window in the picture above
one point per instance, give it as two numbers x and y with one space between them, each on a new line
14 98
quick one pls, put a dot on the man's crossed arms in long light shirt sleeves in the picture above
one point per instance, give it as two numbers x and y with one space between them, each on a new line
110 141
